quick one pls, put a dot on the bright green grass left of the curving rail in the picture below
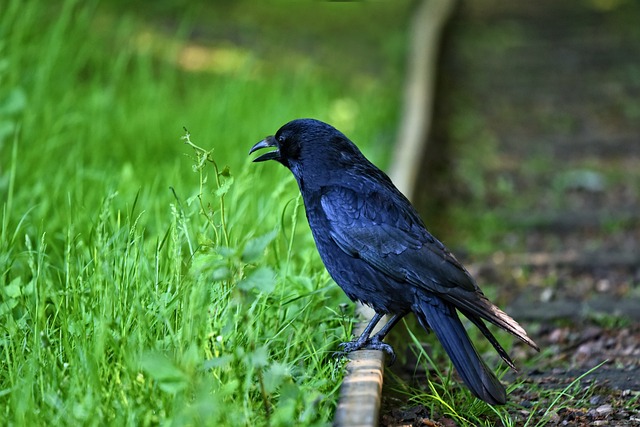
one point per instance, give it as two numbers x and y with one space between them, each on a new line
140 284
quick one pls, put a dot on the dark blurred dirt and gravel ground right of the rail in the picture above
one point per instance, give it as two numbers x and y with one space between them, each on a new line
537 137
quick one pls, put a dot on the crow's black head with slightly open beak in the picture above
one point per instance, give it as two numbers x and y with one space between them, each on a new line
308 146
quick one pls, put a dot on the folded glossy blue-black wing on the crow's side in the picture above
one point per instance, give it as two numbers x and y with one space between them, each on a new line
381 228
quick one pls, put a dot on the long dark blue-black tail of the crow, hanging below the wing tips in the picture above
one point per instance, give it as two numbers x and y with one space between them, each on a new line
443 319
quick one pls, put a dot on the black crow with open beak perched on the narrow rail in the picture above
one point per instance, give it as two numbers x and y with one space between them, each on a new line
376 247
